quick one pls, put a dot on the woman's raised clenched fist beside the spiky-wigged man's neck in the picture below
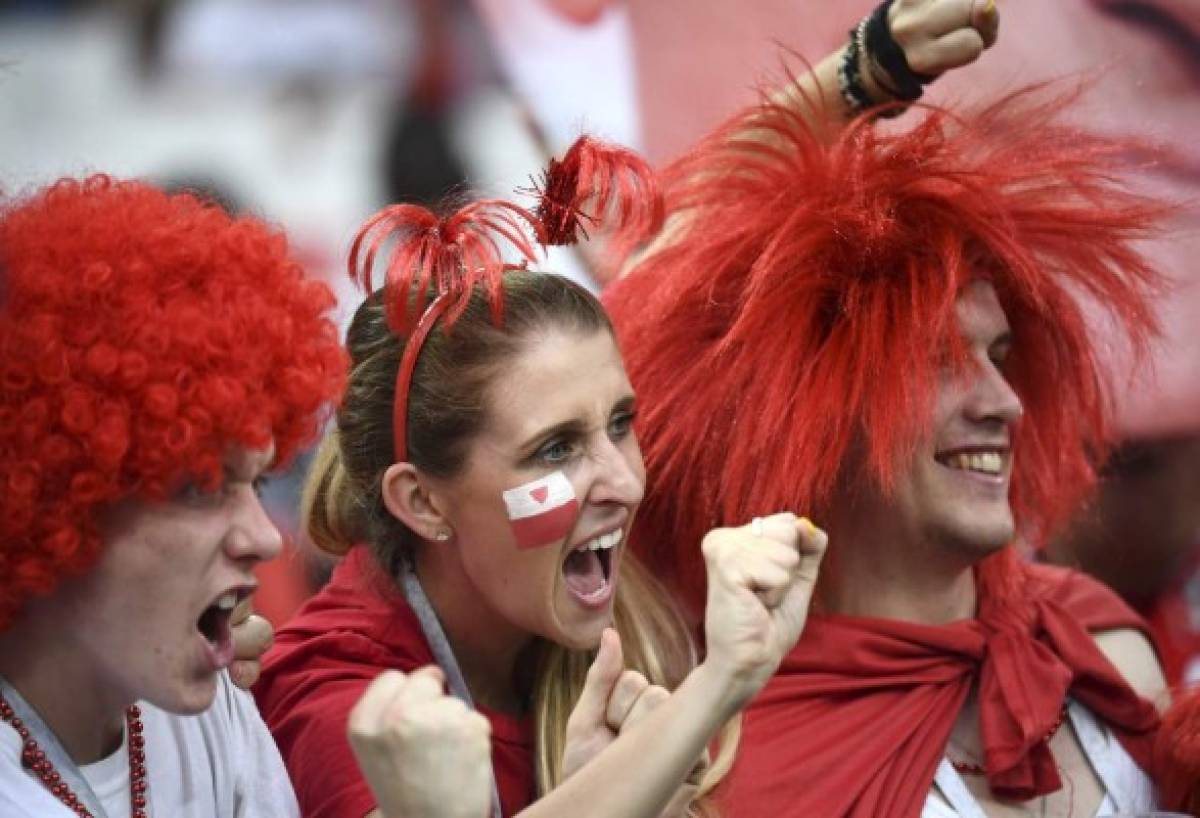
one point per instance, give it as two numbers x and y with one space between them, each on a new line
760 586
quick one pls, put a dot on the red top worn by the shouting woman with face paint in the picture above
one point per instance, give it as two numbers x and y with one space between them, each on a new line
320 666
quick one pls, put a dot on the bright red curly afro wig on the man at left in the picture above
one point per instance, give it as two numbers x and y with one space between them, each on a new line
141 336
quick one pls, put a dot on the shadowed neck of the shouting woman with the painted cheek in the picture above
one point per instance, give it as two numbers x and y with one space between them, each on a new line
490 658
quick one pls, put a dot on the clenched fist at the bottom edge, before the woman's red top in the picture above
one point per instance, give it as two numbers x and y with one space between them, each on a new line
424 754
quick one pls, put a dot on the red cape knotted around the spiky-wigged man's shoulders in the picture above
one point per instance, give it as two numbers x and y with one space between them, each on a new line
859 717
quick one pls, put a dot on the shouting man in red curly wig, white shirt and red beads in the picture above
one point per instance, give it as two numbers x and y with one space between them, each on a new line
158 358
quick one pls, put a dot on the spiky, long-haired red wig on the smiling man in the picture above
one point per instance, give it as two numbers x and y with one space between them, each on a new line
811 305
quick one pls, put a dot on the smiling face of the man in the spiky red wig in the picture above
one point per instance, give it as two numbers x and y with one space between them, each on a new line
955 494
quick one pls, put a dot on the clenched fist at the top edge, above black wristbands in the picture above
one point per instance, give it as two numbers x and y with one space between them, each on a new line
940 35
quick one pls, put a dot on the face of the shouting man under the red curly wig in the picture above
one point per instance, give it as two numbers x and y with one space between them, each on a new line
136 615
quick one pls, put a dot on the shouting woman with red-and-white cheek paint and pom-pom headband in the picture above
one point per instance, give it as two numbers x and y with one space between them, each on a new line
484 454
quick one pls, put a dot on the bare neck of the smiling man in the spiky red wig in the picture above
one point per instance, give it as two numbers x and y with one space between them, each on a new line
890 576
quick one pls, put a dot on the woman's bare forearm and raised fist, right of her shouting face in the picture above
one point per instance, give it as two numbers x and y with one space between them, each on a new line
759 594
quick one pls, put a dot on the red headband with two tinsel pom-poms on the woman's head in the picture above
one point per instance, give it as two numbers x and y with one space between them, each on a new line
451 257
